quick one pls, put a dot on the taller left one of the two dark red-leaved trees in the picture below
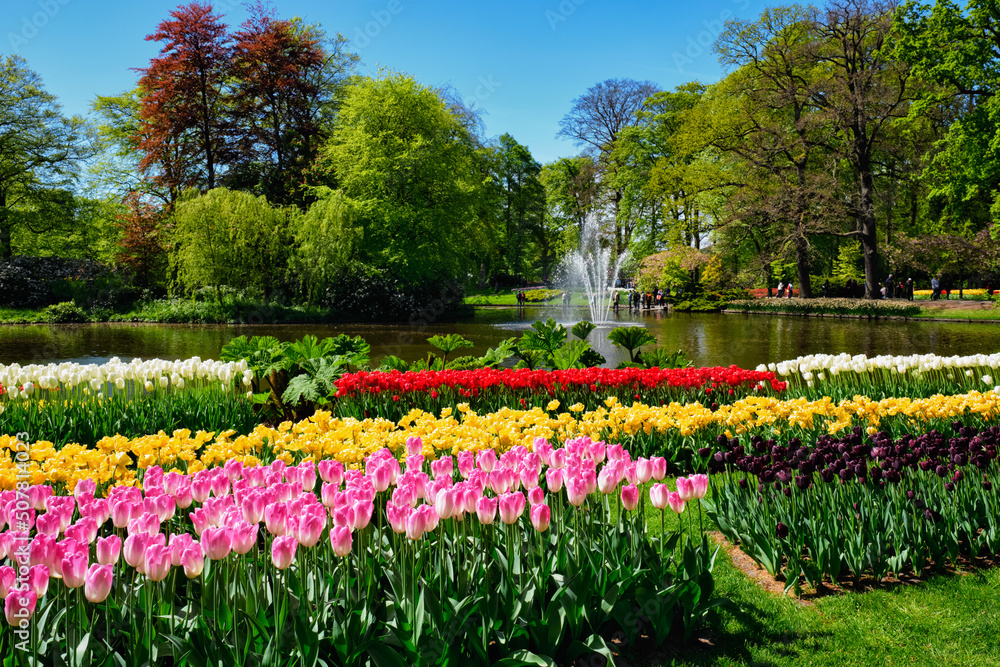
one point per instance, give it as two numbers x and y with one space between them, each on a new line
182 131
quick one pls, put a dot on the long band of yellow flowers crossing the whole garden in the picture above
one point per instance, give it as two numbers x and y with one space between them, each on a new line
116 459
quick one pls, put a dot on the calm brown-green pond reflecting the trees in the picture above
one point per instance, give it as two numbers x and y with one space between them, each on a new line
708 339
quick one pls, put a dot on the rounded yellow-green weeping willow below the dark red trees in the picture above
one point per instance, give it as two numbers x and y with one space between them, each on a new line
232 238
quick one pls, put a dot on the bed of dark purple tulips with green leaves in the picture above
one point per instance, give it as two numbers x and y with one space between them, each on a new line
864 505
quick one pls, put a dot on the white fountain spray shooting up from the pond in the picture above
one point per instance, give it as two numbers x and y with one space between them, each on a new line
593 269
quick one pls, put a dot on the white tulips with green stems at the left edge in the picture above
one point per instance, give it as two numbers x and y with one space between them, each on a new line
68 402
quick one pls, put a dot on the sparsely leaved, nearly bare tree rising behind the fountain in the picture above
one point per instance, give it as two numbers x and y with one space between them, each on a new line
596 121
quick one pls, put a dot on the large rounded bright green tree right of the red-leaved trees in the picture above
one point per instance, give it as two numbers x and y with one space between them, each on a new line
412 168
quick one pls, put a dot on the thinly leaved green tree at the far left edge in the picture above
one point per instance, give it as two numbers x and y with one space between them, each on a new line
40 150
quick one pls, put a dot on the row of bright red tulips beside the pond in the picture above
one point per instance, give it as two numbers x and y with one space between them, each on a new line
394 393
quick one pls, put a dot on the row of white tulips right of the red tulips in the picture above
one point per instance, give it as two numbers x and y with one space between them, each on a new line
844 375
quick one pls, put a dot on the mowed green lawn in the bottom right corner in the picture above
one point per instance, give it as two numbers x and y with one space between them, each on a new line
947 619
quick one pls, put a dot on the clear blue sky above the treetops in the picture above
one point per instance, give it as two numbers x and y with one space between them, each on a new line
523 62
